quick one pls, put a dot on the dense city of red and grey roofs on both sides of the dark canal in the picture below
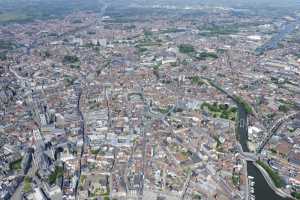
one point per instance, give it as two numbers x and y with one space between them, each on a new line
98 107
